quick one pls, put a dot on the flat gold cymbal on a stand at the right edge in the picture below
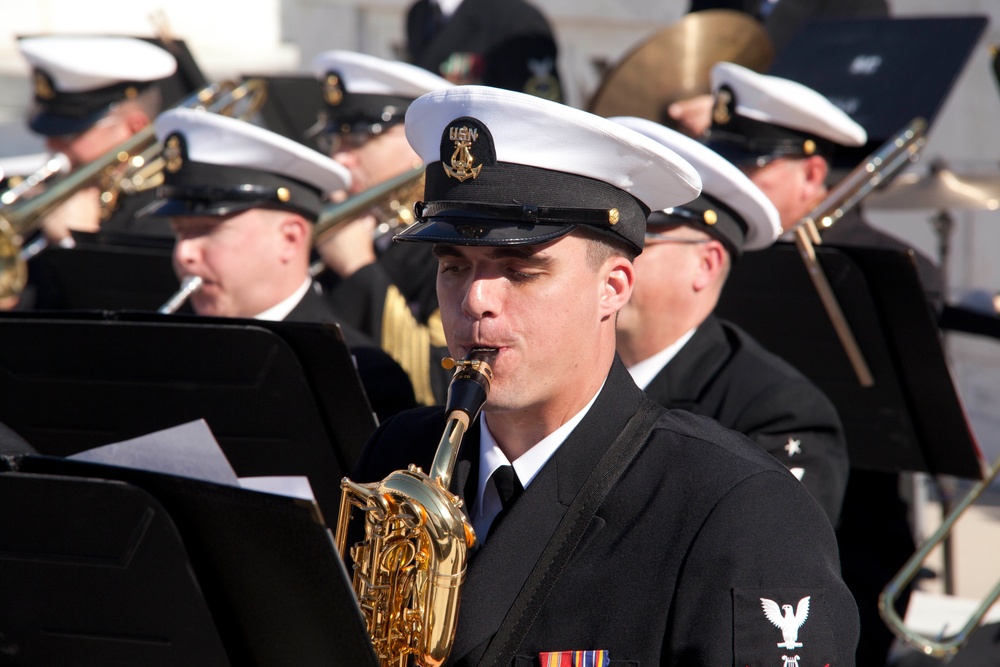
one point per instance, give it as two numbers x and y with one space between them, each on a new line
941 189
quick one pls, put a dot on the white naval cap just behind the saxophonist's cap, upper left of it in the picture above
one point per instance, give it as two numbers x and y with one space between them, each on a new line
366 93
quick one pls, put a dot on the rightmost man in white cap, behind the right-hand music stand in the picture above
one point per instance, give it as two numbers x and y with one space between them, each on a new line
782 134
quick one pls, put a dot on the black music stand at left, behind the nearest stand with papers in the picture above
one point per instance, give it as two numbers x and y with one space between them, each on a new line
281 398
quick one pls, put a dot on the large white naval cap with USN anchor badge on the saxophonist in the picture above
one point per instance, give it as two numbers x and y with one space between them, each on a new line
506 168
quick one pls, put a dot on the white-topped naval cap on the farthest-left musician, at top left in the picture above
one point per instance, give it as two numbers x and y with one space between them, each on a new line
78 78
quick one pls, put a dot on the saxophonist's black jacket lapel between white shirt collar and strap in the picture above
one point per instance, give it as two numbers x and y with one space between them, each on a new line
503 564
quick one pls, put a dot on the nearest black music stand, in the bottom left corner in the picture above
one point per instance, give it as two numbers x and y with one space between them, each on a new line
107 566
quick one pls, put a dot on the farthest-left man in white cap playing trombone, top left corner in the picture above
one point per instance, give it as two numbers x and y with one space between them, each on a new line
91 94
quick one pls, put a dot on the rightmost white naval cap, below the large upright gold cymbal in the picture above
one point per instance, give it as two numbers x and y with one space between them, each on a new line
757 117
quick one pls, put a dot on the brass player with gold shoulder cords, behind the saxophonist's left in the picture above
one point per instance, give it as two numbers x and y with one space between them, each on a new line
382 289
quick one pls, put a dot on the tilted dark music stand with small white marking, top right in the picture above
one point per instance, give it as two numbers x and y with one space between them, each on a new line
883 72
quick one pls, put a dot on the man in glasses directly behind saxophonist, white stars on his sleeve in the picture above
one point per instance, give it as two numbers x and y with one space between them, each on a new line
683 356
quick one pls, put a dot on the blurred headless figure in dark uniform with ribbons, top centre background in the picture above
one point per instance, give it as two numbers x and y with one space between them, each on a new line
502 44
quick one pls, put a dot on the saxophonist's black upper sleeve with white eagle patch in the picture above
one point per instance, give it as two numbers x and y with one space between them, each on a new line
761 583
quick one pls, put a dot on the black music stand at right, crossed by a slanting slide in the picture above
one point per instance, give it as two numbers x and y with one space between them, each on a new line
911 419
